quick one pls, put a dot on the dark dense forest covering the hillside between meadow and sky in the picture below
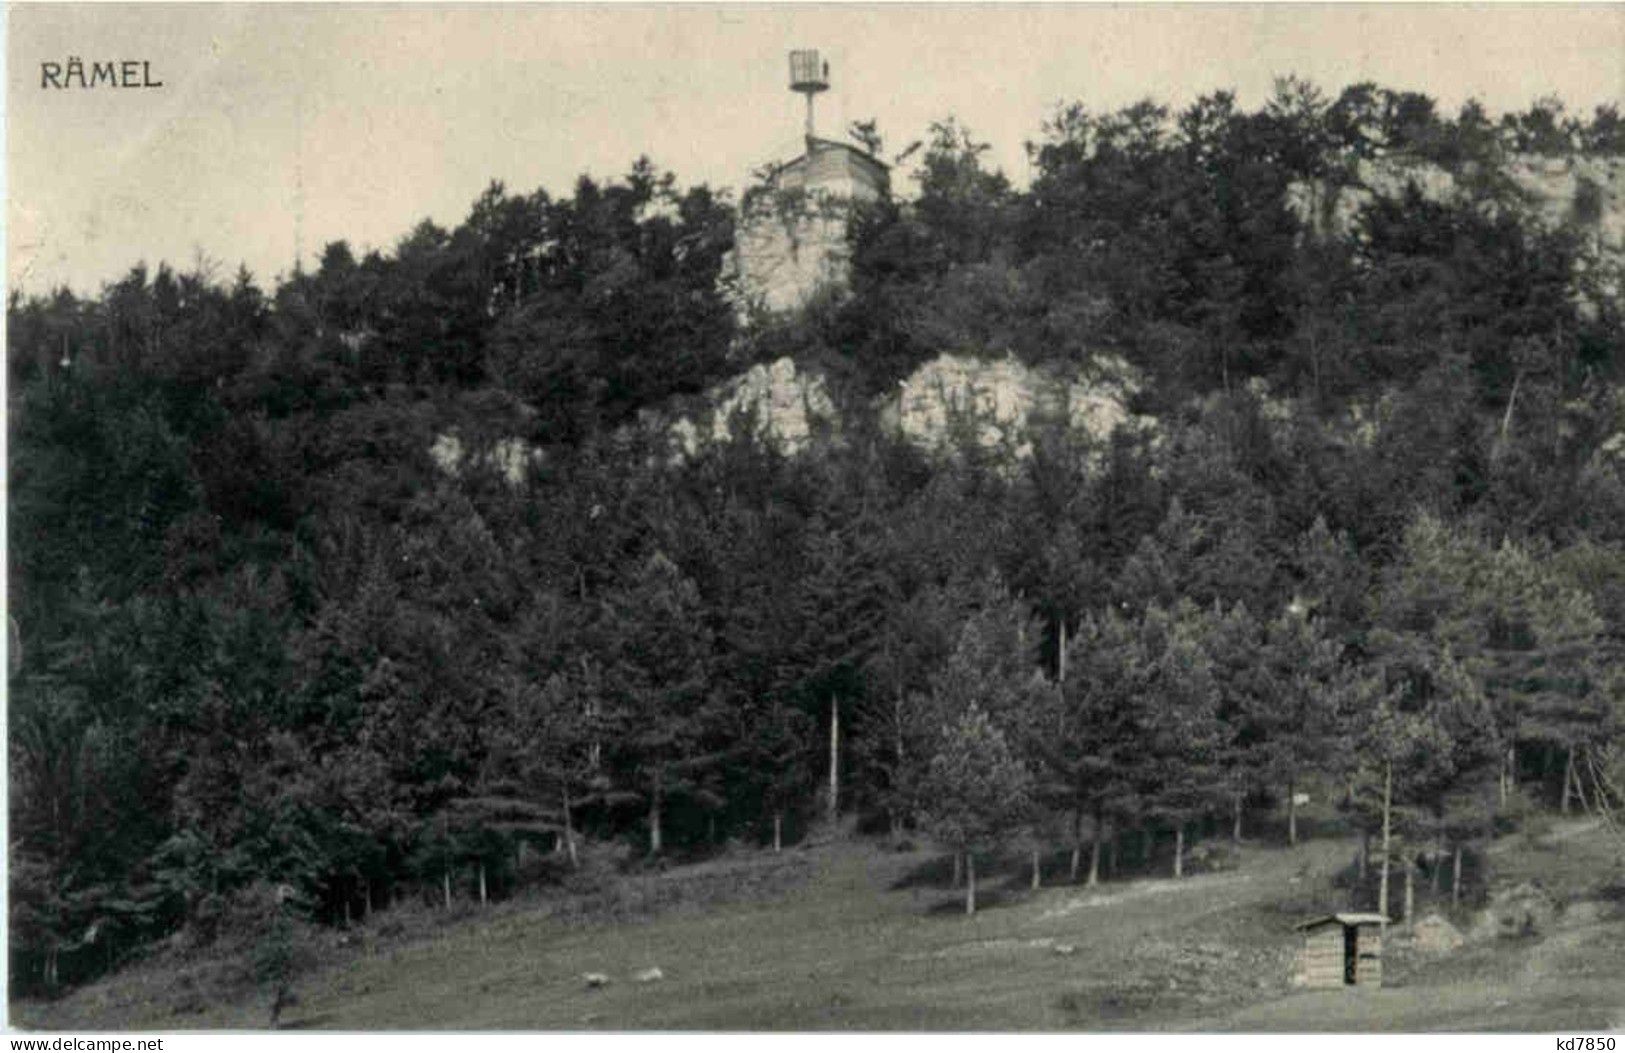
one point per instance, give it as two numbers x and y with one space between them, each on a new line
261 641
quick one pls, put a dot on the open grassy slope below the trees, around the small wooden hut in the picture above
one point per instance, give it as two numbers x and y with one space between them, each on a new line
860 943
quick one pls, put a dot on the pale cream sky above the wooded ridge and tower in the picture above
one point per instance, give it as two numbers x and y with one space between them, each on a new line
284 128
